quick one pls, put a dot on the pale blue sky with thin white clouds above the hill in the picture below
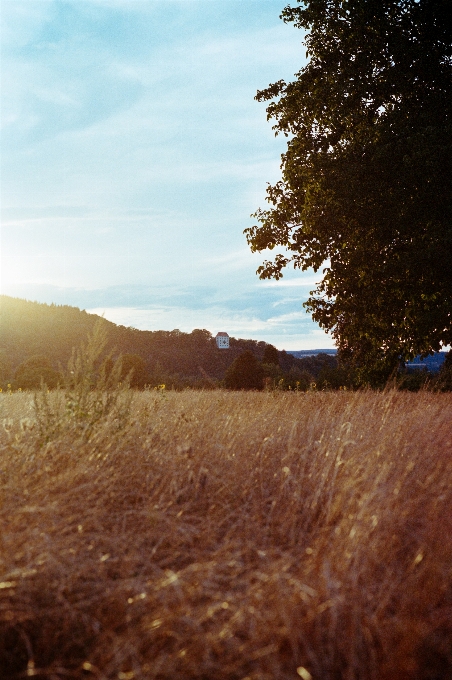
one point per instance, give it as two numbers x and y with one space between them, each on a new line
133 154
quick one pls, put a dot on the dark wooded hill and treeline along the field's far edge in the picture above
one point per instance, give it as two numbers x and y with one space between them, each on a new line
37 341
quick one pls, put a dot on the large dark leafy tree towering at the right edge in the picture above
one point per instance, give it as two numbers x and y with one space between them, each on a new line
365 193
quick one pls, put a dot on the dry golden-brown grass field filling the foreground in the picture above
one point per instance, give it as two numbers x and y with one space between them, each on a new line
227 536
